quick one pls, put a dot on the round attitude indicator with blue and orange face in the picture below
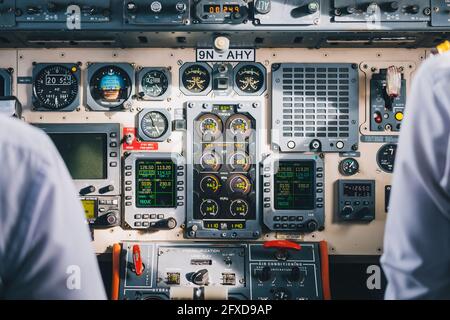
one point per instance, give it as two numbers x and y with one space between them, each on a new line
110 86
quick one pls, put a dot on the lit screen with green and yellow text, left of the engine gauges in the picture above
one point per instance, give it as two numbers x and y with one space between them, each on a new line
155 183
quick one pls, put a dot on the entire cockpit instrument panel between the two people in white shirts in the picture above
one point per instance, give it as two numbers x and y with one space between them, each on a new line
222 144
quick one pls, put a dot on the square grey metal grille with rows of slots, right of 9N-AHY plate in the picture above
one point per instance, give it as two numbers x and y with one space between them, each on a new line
315 101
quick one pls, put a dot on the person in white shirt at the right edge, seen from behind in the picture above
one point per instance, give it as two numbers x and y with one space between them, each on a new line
416 256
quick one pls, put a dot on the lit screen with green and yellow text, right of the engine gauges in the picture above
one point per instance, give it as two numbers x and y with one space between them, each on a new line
294 185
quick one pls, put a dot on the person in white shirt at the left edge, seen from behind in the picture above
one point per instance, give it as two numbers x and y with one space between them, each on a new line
45 249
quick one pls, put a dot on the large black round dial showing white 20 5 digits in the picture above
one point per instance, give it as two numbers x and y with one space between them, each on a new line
55 87
